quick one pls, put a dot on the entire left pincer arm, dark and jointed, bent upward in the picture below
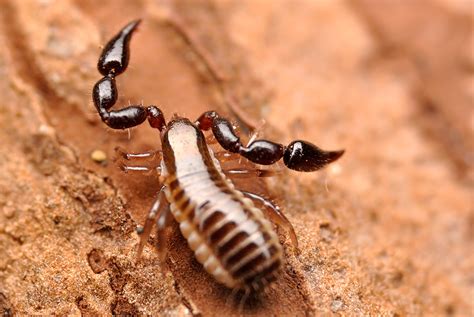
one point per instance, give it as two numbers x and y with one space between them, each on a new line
112 62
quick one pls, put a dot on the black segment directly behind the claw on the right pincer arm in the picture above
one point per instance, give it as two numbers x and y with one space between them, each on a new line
263 152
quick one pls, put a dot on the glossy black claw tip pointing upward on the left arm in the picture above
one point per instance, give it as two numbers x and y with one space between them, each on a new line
116 54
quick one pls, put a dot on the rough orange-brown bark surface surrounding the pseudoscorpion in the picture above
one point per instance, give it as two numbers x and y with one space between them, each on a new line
387 230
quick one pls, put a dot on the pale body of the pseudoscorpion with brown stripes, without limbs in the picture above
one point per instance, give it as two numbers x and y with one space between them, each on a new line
229 235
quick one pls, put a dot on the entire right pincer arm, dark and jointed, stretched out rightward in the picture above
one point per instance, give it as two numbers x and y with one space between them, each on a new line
298 155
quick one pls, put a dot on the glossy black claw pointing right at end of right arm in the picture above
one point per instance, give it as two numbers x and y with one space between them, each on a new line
306 157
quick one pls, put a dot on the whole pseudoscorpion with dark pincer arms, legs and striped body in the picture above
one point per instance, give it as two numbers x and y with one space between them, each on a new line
229 235
